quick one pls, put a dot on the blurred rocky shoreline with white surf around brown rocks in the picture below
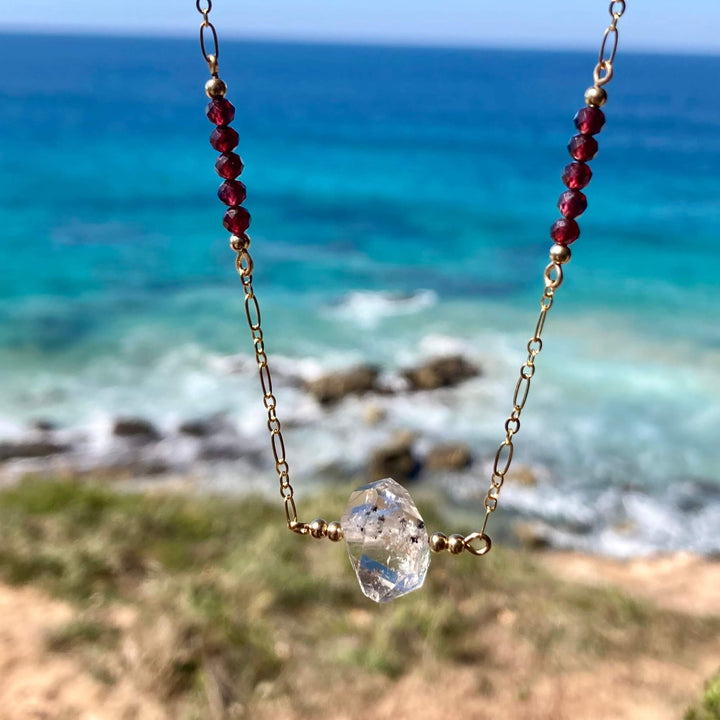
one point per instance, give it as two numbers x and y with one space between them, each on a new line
363 423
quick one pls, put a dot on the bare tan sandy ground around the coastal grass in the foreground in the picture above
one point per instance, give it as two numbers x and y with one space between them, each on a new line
38 685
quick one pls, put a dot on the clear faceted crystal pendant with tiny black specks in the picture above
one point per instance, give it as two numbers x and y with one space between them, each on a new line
386 540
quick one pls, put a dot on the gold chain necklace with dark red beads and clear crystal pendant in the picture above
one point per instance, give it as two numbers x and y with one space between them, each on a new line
387 541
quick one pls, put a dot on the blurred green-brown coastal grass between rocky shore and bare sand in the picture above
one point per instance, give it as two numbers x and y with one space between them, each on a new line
209 602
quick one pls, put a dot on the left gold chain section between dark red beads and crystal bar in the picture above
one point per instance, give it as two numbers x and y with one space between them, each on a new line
244 267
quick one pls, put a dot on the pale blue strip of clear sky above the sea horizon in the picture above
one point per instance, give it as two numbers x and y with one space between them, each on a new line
662 25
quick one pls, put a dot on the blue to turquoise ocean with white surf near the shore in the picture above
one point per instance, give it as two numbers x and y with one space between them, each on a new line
401 200
